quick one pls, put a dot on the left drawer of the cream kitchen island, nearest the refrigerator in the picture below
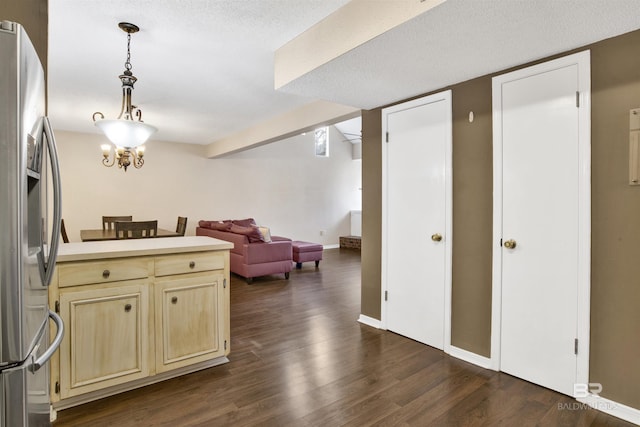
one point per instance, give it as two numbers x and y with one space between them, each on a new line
83 273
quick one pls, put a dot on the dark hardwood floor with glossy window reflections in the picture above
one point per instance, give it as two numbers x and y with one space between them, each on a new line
300 358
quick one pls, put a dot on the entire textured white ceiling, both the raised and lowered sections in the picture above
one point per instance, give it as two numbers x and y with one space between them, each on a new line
205 67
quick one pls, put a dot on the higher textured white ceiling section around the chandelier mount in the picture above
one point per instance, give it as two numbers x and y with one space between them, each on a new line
204 67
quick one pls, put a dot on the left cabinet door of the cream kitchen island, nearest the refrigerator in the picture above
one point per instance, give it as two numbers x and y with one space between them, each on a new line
107 342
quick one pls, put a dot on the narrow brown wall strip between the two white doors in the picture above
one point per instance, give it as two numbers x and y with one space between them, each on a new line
472 217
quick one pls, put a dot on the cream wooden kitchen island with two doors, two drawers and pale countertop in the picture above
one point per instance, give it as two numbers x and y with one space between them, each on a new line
137 312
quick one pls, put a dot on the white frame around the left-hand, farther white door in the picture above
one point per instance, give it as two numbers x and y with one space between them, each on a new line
446 97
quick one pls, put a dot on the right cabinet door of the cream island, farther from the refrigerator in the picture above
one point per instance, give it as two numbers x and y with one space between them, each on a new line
189 320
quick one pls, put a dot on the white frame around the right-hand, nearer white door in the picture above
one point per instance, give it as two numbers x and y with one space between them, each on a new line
582 60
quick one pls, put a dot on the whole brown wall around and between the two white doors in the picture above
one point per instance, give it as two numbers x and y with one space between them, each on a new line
615 269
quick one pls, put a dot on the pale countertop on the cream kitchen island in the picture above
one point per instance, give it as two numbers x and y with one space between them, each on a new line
138 247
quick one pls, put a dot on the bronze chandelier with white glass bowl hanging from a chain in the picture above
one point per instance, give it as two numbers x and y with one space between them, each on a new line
128 132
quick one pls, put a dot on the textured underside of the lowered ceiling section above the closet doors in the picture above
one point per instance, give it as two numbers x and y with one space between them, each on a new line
456 41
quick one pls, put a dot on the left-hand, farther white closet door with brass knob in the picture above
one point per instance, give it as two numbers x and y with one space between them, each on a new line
418 218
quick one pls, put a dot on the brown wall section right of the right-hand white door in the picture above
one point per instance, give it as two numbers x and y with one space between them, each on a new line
615 239
